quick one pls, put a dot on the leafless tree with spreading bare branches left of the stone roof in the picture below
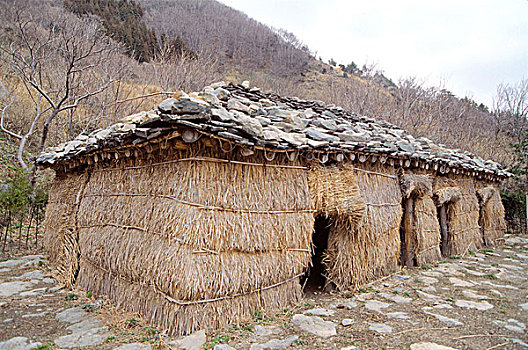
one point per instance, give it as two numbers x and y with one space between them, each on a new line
58 61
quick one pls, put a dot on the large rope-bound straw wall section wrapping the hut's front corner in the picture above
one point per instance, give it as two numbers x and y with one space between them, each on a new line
193 242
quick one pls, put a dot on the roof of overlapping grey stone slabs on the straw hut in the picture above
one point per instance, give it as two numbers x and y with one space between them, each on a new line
250 117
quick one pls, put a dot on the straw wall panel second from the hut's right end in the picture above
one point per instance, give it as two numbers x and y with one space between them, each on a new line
462 213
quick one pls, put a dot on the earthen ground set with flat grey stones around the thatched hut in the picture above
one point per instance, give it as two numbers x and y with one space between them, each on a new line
476 302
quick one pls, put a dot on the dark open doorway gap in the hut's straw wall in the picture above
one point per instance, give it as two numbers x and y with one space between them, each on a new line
314 279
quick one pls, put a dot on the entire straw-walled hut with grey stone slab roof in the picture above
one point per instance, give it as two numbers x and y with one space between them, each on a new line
208 208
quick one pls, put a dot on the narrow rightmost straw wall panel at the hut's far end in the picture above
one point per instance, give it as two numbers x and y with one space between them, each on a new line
492 219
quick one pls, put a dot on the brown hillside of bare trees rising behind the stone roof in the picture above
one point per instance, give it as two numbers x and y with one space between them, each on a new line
229 45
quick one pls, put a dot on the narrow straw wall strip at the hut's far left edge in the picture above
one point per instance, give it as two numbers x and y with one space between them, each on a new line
61 232
